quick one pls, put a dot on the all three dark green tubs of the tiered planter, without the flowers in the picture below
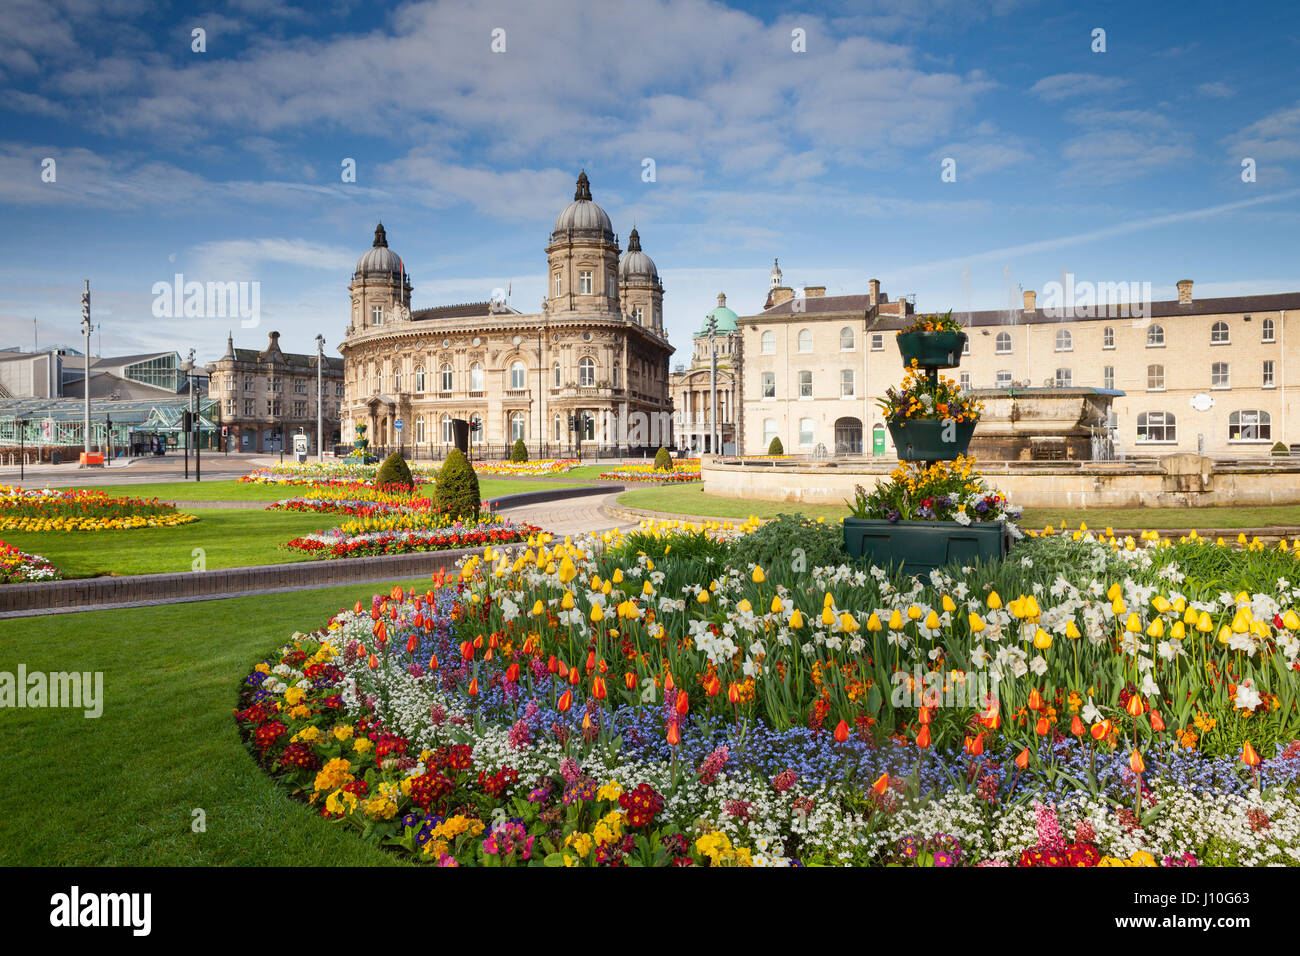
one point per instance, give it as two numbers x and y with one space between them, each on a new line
921 547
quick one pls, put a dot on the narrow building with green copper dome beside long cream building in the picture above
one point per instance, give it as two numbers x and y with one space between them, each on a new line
694 387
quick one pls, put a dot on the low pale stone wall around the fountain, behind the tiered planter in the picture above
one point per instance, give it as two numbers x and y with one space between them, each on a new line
1175 482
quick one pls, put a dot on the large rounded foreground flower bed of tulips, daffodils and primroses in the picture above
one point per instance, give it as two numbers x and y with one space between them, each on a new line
648 700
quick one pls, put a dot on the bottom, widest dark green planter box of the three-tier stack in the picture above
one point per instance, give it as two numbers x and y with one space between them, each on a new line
921 547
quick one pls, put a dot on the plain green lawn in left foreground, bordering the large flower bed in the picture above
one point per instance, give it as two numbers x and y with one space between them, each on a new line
120 790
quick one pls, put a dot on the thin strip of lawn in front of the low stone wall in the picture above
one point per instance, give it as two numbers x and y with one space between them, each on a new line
691 500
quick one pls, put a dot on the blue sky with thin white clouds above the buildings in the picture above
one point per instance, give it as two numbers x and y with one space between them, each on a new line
226 166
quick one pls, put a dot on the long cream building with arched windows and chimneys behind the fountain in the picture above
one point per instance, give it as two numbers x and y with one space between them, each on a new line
1198 375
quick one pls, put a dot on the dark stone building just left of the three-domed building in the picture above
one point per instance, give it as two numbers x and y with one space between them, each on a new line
267 397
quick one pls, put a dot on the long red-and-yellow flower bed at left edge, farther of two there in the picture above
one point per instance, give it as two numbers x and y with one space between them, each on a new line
83 511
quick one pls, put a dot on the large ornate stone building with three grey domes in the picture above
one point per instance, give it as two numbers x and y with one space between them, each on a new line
590 369
